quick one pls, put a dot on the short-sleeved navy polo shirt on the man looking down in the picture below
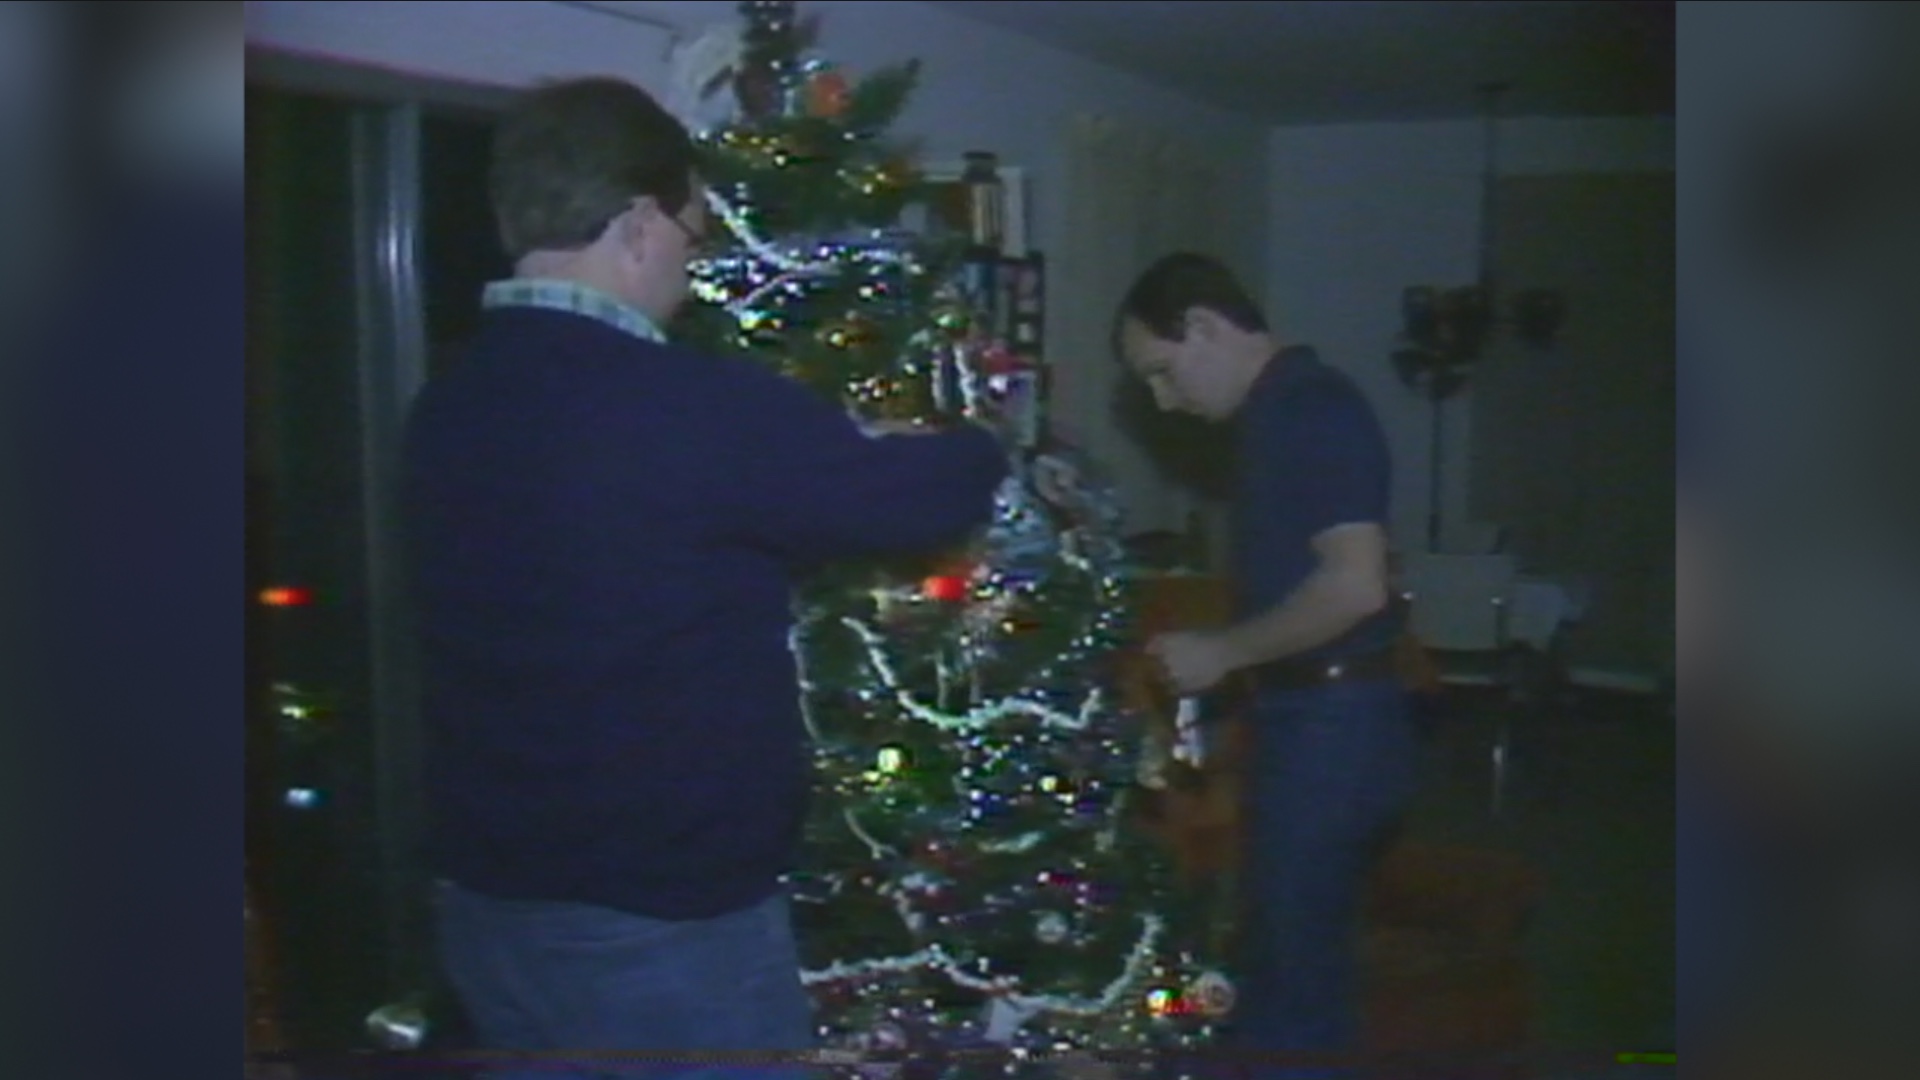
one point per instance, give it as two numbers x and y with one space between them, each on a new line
1310 456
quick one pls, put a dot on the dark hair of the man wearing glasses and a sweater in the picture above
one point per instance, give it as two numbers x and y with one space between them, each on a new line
571 157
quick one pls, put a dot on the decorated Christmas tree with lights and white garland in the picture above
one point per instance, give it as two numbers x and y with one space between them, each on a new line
971 879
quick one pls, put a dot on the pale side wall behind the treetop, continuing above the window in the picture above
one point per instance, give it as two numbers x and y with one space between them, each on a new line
982 87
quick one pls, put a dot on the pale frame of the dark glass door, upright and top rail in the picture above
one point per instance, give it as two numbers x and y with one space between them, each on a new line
391 364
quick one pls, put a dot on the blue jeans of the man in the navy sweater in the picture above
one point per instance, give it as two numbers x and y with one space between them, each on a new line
608 994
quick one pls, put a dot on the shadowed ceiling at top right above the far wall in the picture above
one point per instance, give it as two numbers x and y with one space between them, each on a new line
1370 61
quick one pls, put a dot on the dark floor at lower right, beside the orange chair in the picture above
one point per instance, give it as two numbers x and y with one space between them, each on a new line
1591 802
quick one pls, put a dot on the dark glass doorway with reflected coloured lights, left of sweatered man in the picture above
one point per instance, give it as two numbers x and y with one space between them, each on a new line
370 239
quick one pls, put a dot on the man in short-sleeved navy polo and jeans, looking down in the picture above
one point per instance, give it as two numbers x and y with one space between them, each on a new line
1314 633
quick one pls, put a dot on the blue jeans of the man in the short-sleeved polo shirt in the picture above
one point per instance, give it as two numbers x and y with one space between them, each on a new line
1333 773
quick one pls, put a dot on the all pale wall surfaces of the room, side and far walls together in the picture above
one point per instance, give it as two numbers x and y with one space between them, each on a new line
1343 218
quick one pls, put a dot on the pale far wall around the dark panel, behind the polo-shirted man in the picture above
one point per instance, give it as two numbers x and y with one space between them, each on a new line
1360 212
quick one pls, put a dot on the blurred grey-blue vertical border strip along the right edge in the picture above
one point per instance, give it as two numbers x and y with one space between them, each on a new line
1800 272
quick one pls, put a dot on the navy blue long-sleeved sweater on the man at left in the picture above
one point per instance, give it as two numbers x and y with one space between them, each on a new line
606 537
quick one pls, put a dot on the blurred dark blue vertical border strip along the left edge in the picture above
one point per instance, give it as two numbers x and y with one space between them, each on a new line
122 260
